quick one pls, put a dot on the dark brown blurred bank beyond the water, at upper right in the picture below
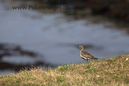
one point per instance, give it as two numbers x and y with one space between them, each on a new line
117 9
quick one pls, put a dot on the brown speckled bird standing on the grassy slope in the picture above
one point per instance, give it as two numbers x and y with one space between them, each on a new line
84 54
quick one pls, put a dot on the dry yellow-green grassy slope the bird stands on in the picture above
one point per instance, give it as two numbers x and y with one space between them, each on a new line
103 72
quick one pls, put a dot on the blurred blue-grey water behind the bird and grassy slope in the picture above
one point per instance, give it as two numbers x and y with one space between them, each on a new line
56 36
